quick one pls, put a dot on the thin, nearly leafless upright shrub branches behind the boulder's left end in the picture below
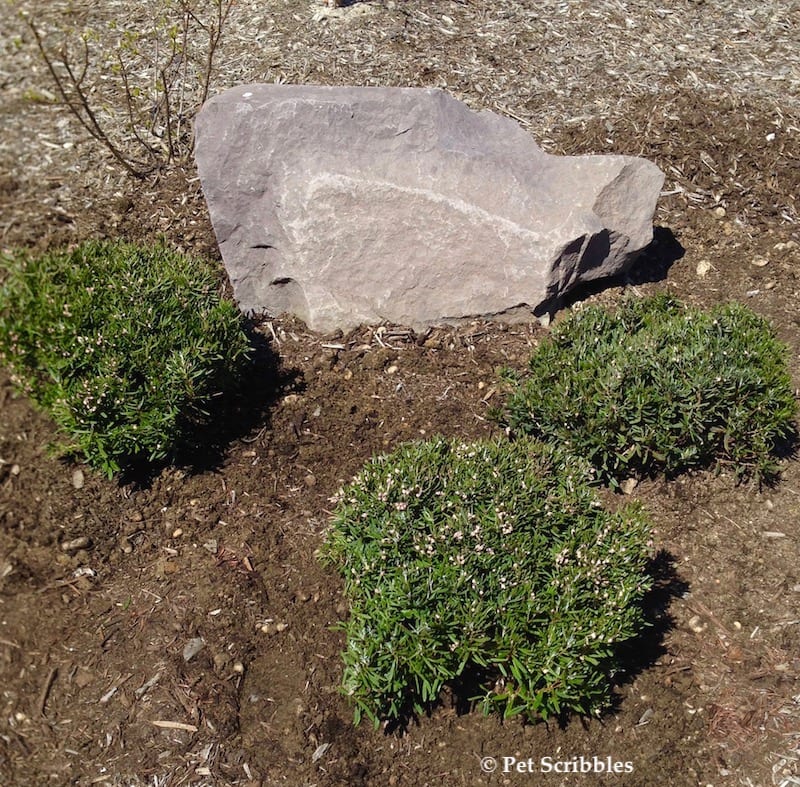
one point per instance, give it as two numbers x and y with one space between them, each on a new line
160 79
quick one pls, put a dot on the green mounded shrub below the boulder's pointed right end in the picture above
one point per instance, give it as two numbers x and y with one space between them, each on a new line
659 386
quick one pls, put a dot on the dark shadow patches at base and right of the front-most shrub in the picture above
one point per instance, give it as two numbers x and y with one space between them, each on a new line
632 657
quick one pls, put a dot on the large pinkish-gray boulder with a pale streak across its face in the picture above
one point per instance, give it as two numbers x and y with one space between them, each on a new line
347 205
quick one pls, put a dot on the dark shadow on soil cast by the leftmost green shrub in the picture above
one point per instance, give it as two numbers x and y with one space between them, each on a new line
233 416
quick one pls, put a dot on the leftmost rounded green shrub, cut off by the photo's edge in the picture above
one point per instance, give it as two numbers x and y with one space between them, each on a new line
124 347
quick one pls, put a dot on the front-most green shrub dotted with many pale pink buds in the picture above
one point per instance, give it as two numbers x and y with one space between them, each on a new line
491 562
